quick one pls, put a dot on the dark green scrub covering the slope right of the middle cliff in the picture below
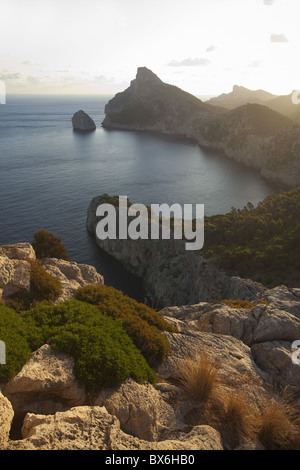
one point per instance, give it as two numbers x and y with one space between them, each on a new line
259 242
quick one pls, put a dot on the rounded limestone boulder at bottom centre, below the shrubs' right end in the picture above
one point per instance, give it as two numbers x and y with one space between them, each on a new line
141 411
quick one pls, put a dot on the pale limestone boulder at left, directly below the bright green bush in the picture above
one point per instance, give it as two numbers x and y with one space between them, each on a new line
45 383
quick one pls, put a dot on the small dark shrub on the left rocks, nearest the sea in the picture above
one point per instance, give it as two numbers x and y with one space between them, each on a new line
48 245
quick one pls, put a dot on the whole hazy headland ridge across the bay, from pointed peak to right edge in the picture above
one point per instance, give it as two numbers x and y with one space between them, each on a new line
252 134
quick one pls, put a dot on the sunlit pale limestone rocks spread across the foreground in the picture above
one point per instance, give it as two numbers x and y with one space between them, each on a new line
44 407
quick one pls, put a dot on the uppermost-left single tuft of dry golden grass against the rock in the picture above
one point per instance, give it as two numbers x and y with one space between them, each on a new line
198 376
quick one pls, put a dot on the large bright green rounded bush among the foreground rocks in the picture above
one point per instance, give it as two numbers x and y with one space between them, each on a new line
104 354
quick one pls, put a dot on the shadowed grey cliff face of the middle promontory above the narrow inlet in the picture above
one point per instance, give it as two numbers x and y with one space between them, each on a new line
172 275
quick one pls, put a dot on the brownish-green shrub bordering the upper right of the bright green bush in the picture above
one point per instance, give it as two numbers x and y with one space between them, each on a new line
143 324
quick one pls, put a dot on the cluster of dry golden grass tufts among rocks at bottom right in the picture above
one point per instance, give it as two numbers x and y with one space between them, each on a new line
273 420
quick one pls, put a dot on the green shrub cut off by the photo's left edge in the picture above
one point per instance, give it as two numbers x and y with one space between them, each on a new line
13 331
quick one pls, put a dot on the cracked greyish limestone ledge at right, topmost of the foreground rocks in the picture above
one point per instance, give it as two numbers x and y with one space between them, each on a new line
278 320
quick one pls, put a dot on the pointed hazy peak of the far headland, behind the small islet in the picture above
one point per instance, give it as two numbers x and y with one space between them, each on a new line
150 104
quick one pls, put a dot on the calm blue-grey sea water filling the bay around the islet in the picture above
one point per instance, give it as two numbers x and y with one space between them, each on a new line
49 174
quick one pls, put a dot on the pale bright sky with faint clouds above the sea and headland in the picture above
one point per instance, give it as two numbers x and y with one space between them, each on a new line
204 47
